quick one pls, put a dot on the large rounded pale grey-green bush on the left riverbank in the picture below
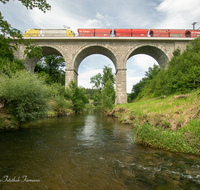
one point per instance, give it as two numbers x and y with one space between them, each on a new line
26 94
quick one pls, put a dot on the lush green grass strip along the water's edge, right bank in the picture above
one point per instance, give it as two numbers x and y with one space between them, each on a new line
182 140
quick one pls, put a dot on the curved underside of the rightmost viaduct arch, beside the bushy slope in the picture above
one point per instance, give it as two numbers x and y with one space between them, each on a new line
158 53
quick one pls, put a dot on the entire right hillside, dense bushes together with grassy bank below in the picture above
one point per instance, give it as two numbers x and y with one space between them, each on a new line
166 104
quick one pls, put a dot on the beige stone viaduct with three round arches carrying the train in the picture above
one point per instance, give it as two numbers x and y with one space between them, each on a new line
117 49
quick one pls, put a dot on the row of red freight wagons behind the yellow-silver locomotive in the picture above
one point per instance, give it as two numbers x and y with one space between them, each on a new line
139 33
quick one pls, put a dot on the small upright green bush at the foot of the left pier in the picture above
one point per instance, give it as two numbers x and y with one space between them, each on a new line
77 96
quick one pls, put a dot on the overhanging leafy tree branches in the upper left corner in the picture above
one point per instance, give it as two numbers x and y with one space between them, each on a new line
8 34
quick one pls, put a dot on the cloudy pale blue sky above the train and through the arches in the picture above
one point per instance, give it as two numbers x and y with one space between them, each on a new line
163 14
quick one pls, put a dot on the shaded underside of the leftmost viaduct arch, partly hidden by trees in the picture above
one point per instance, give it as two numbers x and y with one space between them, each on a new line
46 50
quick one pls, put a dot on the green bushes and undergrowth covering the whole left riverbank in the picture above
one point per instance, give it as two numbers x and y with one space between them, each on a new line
26 97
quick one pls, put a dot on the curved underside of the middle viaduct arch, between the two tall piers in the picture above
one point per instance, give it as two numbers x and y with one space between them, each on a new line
86 51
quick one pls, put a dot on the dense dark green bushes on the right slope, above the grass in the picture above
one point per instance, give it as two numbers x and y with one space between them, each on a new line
178 78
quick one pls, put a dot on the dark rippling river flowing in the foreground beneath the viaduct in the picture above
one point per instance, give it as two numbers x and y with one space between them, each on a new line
89 152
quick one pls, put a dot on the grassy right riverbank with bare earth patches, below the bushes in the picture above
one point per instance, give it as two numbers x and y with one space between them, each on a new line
171 123
